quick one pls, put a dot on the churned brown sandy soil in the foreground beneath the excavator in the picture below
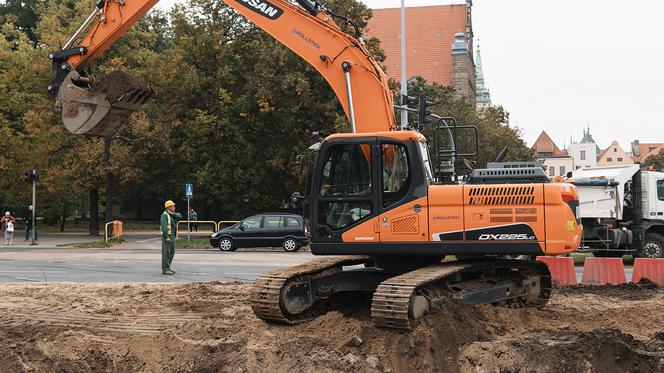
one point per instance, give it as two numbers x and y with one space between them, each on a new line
209 327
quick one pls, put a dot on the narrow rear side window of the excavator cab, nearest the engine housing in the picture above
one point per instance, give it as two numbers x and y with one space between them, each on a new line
395 173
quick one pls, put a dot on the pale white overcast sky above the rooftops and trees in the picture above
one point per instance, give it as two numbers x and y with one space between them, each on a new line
560 65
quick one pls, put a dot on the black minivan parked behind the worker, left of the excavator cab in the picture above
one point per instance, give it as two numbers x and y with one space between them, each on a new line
264 230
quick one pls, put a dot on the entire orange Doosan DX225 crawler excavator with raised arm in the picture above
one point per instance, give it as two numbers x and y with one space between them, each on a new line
386 212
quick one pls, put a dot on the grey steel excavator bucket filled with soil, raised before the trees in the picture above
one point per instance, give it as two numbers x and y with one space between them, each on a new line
100 108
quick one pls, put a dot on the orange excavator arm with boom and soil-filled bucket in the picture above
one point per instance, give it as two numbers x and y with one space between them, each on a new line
308 30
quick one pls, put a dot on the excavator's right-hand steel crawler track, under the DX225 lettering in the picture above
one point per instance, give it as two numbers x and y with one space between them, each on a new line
393 299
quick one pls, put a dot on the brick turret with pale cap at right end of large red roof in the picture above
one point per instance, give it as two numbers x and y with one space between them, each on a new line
463 69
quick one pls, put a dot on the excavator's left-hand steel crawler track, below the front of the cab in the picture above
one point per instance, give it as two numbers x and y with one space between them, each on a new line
266 295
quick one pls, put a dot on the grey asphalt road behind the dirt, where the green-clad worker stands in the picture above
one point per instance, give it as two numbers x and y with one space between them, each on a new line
139 260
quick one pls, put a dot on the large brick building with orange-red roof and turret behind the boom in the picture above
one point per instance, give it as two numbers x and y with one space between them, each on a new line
439 44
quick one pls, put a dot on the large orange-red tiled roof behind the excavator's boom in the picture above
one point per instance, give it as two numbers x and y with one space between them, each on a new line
429 36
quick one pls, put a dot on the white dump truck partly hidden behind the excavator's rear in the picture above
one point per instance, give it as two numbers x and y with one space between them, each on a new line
622 210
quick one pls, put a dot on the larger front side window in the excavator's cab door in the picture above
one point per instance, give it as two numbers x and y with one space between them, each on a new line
347 171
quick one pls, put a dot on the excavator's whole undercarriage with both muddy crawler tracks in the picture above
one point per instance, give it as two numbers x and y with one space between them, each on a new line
399 298
